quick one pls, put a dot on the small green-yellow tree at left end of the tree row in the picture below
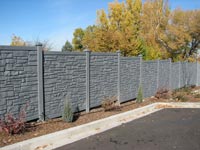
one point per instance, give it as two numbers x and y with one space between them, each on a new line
78 38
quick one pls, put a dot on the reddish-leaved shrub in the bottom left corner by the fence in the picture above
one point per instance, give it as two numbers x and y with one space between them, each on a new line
12 125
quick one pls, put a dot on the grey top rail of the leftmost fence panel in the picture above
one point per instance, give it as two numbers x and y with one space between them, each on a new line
19 48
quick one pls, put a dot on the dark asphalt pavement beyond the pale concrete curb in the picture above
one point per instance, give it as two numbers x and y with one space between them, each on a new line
168 129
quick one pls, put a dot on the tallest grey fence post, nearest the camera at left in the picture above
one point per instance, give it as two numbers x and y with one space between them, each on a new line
40 82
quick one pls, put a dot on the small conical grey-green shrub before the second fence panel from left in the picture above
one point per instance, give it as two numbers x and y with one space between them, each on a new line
67 115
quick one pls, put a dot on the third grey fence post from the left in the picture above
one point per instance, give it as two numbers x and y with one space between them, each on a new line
118 76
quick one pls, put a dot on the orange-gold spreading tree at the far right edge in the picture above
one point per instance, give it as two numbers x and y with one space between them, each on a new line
183 35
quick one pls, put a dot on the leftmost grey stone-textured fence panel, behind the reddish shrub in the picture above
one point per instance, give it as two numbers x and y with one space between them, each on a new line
18 80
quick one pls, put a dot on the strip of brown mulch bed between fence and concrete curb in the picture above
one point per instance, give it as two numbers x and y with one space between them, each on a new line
36 129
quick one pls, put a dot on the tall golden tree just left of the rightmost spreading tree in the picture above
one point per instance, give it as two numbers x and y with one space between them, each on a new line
154 18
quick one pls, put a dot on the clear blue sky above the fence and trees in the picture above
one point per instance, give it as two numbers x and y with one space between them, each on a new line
55 20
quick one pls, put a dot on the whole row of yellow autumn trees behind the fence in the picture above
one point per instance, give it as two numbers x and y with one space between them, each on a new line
150 29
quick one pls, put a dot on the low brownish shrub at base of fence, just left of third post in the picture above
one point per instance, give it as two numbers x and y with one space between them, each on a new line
110 103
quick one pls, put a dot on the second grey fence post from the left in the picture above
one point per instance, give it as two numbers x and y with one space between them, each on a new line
87 104
